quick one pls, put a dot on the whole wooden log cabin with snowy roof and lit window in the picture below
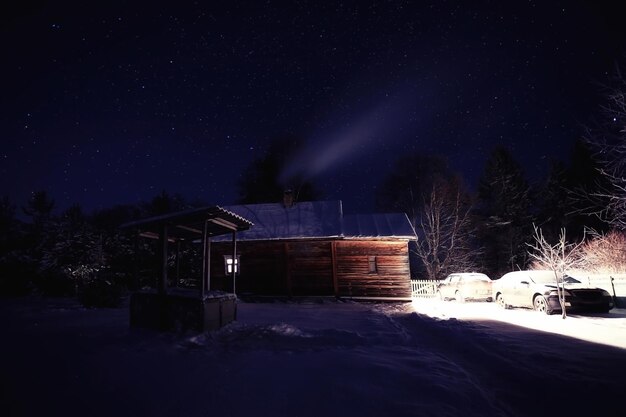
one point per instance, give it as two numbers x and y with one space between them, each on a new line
313 249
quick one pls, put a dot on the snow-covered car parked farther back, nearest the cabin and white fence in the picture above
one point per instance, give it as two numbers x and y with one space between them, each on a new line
465 286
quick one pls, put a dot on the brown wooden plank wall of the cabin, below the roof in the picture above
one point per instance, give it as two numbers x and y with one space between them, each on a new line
316 267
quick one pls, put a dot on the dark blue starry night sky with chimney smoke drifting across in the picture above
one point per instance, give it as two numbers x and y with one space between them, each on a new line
110 104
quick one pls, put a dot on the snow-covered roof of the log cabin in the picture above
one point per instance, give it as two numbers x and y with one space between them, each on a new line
317 219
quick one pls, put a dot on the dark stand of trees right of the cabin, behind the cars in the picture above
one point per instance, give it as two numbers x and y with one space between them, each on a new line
489 230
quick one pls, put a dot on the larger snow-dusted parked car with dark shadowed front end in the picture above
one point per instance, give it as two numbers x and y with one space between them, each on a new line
538 290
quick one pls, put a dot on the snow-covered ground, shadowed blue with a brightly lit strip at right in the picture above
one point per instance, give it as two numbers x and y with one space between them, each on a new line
316 358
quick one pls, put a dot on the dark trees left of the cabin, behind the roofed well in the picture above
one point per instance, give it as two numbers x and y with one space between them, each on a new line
77 254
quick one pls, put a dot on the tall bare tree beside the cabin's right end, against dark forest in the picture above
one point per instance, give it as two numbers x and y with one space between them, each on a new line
445 243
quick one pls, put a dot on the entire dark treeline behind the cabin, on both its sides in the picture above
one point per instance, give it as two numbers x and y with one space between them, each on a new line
87 255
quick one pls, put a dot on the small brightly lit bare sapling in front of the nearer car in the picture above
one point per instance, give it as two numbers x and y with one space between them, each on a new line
558 258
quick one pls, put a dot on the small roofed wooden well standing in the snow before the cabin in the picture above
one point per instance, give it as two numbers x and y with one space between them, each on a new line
179 309
